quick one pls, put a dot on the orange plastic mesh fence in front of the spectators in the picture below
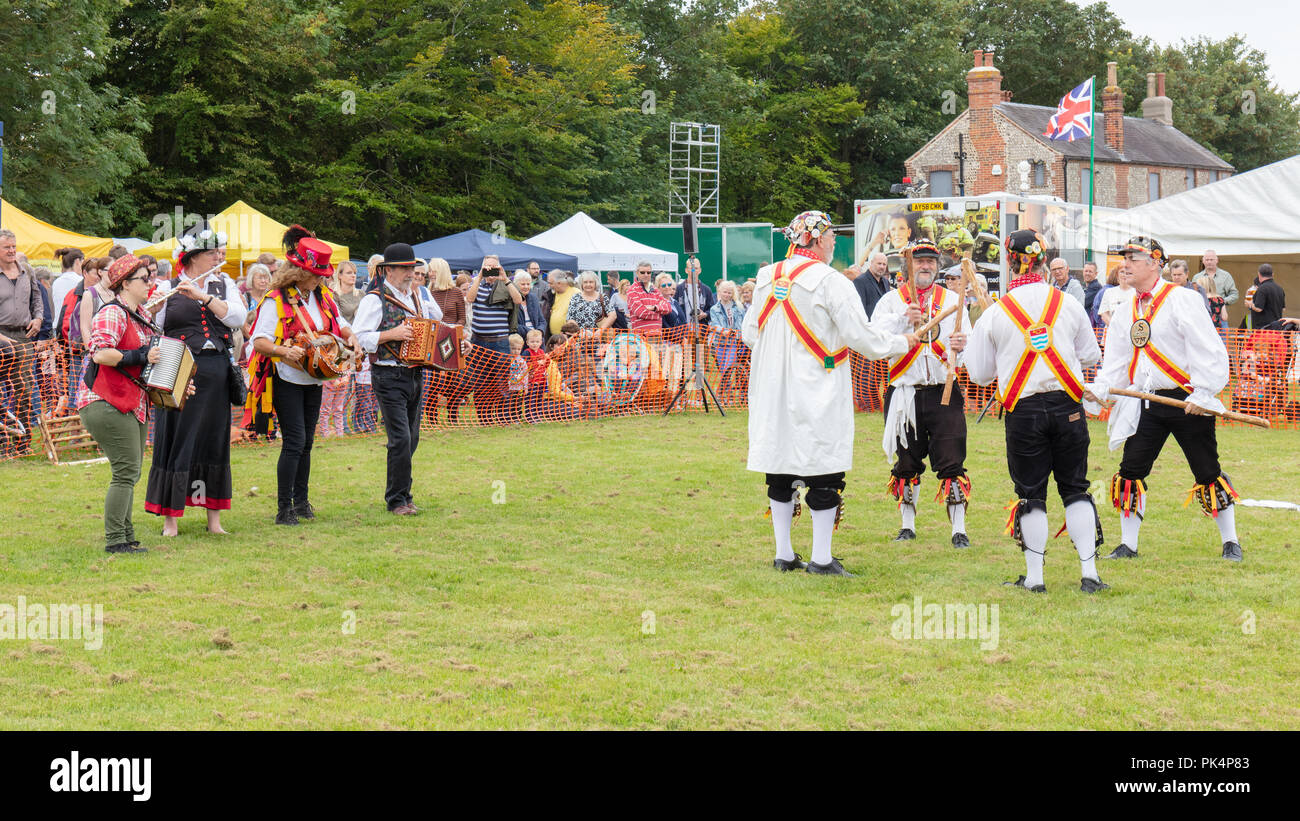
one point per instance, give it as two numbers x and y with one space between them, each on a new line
595 375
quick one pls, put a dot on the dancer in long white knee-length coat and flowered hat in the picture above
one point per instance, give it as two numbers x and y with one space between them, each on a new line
807 316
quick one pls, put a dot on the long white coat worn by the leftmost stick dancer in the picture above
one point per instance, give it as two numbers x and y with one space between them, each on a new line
800 414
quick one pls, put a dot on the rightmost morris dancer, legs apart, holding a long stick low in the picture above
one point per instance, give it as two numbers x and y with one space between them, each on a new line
1163 342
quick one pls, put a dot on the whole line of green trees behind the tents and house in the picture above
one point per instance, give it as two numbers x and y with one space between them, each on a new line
383 120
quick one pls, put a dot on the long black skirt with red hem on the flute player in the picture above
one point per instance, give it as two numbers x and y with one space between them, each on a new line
192 448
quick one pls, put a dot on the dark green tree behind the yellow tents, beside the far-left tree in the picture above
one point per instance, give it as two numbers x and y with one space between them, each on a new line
220 81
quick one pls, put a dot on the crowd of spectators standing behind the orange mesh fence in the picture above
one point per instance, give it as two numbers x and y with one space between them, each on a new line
544 338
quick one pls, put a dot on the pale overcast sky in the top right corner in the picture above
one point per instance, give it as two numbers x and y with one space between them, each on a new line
1271 27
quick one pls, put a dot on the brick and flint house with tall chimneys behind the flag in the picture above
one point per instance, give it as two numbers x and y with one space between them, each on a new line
1138 159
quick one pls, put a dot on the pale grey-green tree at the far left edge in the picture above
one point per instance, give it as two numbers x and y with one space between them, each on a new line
71 140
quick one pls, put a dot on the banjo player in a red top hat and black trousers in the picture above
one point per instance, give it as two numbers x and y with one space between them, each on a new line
298 298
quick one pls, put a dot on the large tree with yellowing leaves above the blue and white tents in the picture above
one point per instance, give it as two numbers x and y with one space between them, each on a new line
479 116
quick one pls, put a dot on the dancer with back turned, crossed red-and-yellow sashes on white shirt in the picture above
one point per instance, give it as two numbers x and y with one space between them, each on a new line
1035 342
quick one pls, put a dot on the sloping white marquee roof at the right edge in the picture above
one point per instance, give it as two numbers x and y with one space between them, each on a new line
1251 214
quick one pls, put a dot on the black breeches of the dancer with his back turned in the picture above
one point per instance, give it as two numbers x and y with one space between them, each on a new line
1048 436
